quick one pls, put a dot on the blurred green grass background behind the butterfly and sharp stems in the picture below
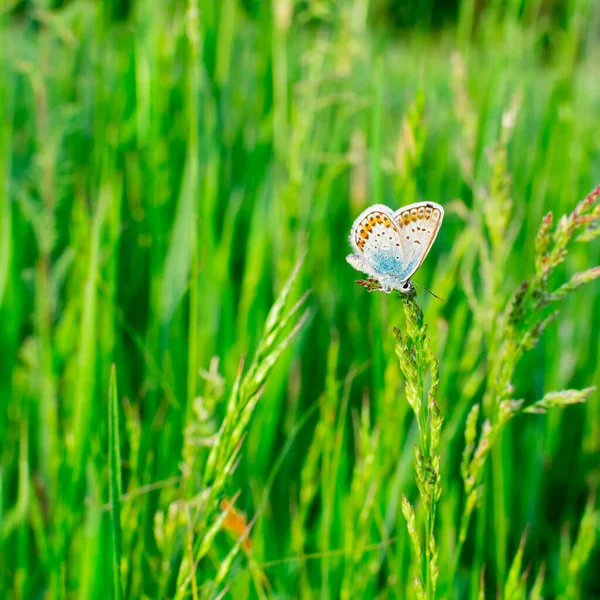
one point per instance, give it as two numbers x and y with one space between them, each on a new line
163 166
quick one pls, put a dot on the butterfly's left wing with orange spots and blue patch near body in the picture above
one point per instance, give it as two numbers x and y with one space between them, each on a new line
376 238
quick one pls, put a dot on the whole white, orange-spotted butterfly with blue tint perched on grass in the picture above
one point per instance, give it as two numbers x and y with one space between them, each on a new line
390 246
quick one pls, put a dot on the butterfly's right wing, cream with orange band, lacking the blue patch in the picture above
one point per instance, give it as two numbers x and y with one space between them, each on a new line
418 225
